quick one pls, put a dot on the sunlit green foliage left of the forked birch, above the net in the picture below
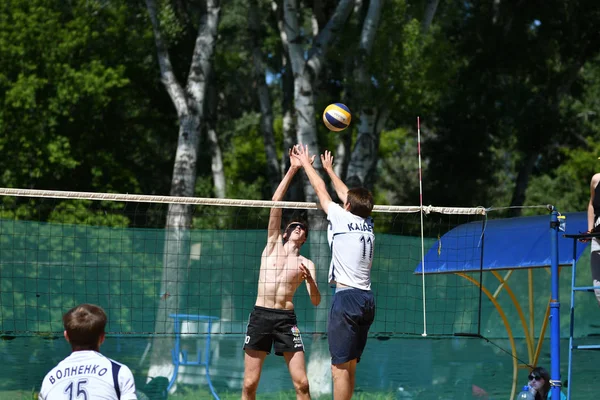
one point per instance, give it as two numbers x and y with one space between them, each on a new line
68 114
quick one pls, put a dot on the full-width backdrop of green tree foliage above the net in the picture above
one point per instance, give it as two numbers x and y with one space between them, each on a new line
507 94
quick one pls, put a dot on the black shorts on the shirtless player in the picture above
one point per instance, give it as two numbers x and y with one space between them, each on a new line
268 327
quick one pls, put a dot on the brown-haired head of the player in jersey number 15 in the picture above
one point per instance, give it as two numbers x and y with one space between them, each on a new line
85 326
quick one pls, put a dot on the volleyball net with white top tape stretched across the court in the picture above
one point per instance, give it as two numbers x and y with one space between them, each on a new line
59 249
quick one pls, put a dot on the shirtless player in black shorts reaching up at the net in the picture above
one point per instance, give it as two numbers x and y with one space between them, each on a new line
272 323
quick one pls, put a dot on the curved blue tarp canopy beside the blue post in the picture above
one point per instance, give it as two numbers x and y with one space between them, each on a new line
509 243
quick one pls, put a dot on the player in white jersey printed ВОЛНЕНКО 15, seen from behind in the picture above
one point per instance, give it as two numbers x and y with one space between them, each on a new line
86 373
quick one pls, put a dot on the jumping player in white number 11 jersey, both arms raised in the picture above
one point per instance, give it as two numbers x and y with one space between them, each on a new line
351 239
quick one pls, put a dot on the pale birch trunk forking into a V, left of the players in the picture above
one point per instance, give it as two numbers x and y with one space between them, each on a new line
188 101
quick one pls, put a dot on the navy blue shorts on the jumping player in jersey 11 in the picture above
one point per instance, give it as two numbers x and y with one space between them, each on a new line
350 317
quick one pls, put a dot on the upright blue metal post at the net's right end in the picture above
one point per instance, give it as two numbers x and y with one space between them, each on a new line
554 309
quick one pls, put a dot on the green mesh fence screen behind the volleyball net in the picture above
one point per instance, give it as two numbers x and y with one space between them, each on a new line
47 268
